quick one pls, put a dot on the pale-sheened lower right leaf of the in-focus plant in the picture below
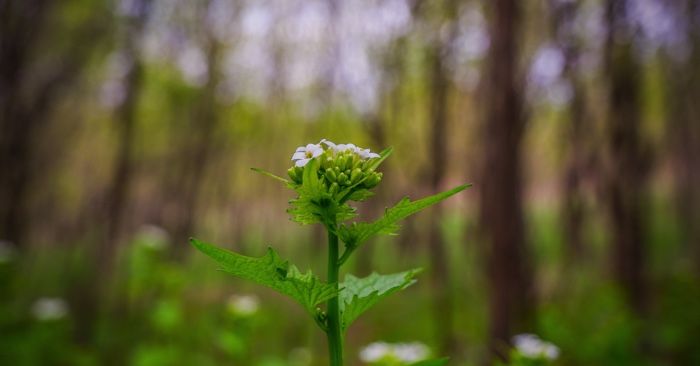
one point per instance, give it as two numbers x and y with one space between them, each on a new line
360 294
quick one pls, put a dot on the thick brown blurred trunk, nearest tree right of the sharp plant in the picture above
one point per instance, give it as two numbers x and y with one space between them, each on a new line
501 211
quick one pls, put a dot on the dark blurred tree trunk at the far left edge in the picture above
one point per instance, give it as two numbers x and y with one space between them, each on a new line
22 113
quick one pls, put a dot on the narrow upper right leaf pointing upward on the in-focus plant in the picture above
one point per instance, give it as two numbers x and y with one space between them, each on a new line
357 233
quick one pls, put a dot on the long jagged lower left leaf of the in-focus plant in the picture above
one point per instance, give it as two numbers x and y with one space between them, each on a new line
271 271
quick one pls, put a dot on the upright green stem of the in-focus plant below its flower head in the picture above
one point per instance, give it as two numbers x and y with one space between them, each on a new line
335 339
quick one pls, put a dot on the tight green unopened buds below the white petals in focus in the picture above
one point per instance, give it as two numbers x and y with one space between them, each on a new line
342 169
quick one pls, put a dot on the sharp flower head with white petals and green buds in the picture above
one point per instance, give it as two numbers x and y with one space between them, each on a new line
341 165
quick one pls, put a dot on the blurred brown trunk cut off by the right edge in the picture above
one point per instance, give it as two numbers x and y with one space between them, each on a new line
684 130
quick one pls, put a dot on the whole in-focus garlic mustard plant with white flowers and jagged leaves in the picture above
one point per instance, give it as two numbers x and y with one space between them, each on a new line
326 178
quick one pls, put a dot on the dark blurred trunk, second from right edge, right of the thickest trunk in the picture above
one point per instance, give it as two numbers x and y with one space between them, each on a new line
626 181
